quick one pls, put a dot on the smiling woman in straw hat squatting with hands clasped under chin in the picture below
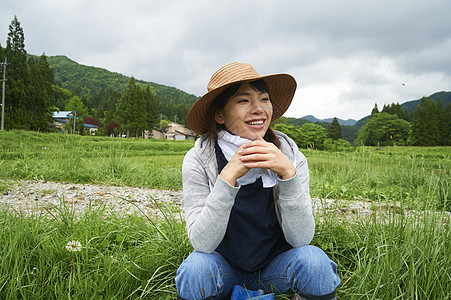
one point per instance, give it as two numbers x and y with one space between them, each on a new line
246 195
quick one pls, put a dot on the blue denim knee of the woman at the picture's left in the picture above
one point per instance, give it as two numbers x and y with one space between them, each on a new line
198 277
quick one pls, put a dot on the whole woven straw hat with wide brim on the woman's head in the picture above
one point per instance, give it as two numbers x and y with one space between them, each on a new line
281 90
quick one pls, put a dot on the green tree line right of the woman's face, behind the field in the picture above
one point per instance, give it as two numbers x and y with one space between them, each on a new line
428 125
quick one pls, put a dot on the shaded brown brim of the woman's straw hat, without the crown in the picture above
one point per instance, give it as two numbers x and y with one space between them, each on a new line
281 87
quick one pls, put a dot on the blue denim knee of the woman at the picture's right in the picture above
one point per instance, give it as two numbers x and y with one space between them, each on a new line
313 271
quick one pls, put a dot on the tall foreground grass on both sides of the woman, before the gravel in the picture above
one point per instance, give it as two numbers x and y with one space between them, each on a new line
389 256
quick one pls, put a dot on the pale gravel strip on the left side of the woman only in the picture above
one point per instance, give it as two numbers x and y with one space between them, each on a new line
31 197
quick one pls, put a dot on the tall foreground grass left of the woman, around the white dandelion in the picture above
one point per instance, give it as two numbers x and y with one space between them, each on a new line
122 257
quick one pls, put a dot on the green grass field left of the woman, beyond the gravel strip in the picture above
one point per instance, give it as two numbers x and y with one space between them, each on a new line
78 159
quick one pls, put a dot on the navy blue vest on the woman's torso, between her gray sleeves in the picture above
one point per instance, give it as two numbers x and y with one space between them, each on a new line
253 237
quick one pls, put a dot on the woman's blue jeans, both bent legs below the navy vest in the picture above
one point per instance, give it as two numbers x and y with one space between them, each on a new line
306 270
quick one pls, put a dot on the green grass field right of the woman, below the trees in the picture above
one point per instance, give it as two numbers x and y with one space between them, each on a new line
419 177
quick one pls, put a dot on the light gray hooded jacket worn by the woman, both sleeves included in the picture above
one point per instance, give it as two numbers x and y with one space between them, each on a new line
208 200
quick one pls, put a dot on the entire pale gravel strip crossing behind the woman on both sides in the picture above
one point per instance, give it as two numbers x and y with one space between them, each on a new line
31 197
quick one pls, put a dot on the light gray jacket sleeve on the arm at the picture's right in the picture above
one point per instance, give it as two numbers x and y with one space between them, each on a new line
294 204
